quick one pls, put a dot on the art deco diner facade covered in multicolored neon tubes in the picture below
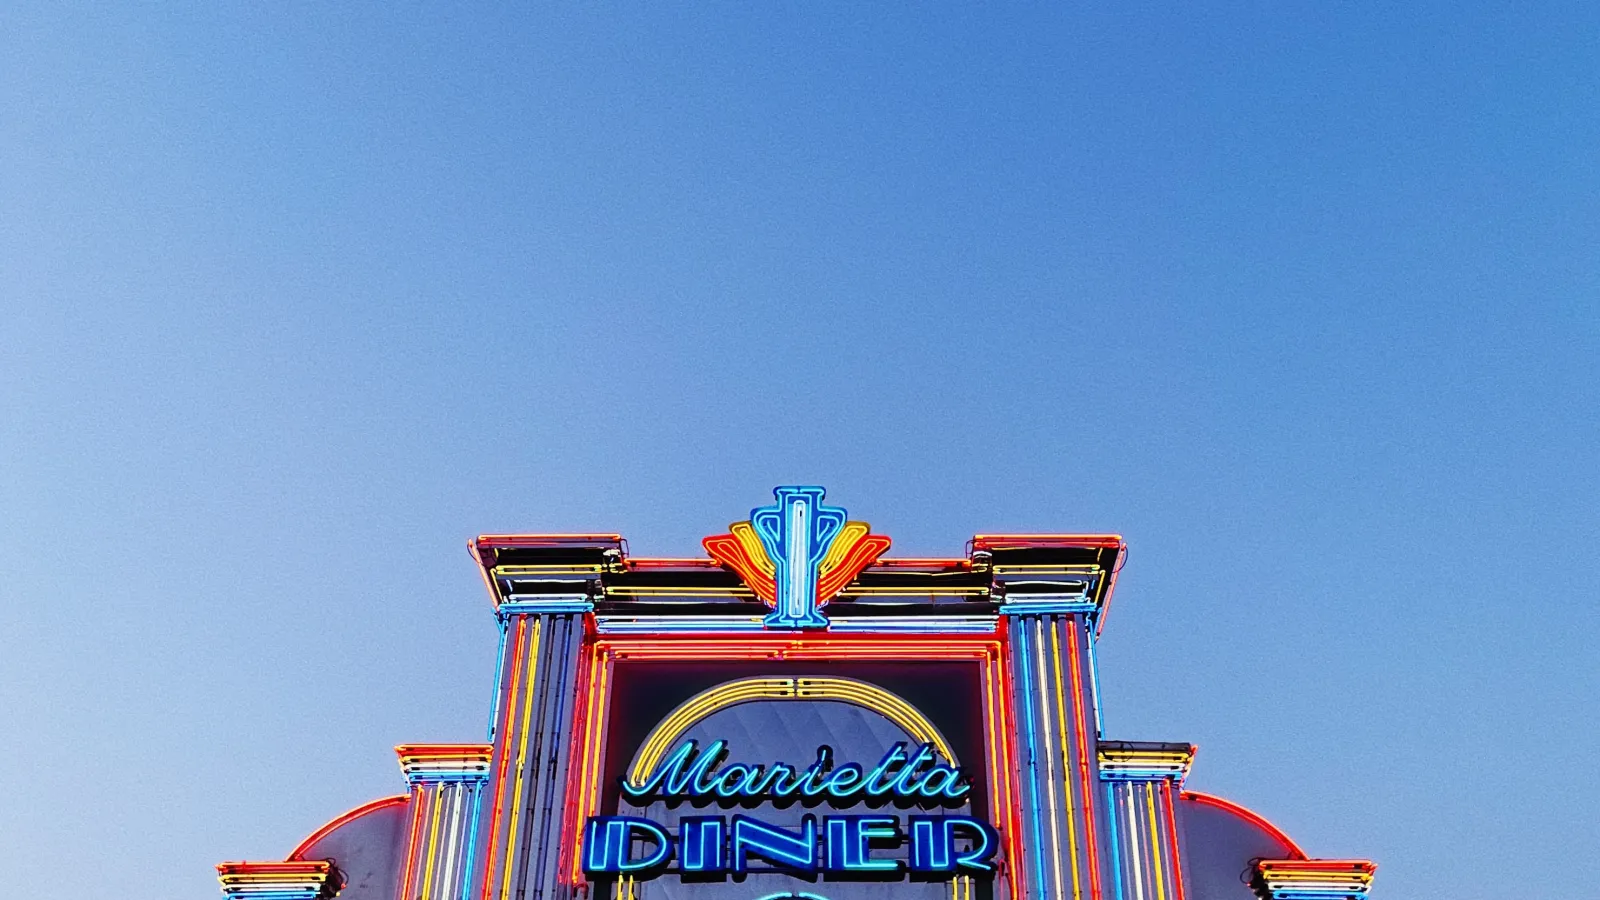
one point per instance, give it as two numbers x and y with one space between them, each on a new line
798 715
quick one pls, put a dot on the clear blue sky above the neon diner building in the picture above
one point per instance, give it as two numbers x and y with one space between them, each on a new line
1298 297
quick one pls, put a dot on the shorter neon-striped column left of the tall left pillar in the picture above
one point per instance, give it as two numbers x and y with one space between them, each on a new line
447 794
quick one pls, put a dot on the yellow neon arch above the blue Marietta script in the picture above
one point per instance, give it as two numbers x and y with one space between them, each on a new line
812 688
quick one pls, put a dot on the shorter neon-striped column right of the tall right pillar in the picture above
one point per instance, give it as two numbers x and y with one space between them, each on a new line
1142 785
